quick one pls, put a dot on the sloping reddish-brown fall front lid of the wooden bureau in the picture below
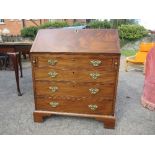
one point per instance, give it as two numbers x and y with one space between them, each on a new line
77 41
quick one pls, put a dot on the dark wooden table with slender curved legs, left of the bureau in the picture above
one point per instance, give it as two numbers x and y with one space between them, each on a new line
14 50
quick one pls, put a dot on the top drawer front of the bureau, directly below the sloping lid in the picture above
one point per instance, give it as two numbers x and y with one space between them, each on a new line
71 61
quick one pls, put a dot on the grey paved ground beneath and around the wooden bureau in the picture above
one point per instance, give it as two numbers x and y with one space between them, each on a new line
16 112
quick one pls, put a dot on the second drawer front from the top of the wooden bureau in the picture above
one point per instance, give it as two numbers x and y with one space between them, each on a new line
75 75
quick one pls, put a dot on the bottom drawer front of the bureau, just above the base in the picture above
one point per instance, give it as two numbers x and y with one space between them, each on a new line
81 107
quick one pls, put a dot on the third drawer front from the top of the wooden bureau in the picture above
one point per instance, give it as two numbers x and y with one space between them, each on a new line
94 90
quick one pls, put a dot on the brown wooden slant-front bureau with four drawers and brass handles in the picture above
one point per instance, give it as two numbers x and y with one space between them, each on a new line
75 73
